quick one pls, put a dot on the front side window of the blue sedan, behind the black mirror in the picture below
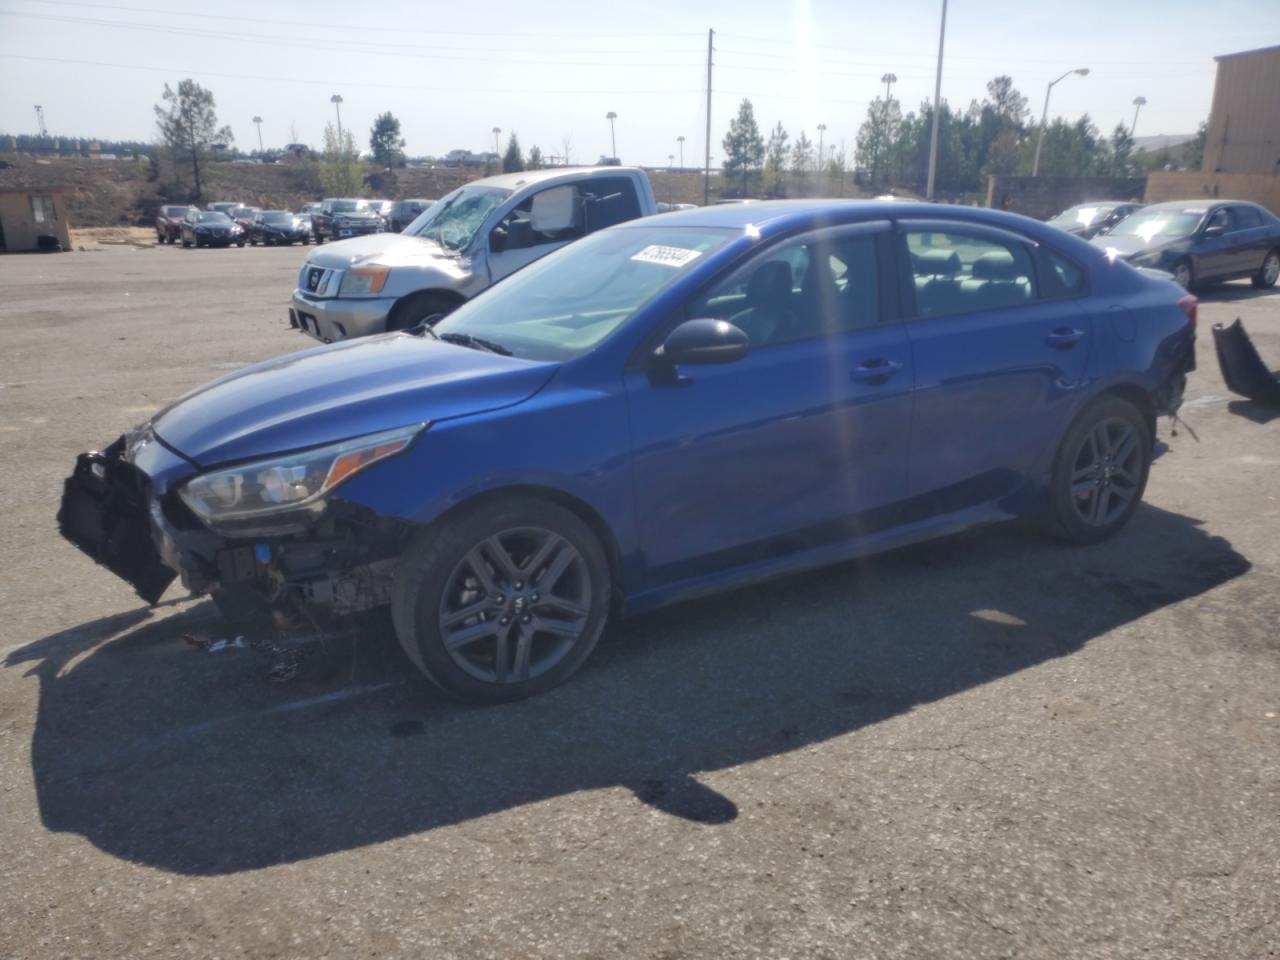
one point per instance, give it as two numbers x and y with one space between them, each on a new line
802 290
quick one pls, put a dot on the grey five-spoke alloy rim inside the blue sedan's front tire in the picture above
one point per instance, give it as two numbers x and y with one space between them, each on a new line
515 606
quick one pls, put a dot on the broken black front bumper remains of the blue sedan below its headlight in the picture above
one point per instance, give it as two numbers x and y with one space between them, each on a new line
121 508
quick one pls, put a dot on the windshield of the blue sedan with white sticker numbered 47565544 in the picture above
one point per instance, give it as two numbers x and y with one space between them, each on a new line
565 304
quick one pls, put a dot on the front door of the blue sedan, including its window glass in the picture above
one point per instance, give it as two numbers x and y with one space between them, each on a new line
797 445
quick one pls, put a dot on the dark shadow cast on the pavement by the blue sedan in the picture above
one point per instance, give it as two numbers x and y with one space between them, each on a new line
164 755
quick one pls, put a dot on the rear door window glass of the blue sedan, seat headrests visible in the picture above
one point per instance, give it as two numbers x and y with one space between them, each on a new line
957 273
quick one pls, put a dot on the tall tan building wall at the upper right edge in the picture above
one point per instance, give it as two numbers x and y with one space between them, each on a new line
1245 122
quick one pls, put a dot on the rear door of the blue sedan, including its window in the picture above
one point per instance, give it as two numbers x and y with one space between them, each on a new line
1000 341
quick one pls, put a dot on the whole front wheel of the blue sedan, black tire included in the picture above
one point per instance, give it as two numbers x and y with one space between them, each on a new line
510 653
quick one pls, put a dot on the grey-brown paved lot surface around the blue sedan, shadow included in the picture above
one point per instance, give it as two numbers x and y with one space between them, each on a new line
988 747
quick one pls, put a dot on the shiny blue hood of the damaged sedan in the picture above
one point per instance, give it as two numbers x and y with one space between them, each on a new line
342 391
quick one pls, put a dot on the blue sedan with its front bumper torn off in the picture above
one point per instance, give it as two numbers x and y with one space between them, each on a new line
666 408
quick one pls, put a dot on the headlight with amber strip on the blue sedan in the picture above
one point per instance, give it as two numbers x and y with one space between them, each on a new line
285 495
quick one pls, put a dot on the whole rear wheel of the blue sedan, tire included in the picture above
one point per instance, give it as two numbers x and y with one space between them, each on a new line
1100 472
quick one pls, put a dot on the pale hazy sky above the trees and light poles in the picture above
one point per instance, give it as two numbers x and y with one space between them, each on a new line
552 71
